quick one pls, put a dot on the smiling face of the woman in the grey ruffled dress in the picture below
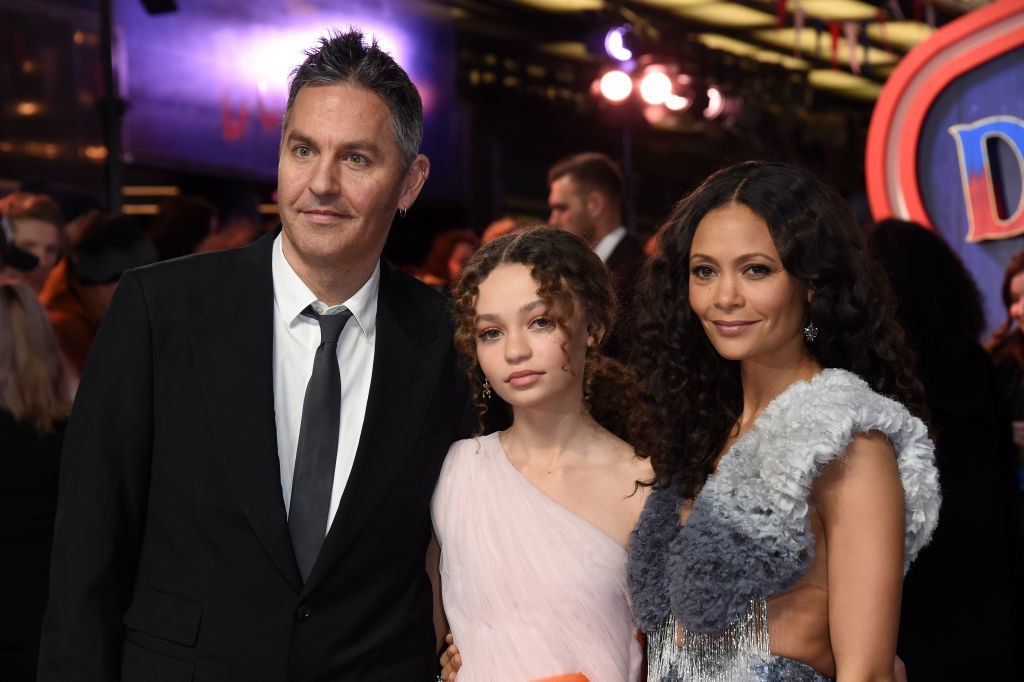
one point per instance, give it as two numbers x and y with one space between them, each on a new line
751 308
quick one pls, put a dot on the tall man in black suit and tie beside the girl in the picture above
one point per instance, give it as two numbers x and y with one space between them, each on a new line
245 493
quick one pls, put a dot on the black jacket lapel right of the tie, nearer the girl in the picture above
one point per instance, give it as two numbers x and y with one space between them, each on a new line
407 362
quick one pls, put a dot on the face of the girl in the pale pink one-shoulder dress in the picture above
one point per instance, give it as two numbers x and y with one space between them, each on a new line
528 358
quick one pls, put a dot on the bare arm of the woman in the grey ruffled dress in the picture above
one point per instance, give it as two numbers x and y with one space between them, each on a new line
861 499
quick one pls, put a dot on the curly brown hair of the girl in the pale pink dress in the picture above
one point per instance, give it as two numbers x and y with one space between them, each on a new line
568 274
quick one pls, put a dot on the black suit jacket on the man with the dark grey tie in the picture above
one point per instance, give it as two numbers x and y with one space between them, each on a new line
173 560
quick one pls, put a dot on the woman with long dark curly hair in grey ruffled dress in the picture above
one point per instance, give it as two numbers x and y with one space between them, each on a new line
794 483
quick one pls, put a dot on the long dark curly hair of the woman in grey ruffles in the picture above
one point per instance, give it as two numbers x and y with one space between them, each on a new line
695 396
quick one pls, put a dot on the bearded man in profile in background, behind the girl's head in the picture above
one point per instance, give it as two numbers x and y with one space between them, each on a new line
586 199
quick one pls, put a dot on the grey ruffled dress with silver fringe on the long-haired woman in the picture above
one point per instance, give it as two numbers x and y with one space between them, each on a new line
701 590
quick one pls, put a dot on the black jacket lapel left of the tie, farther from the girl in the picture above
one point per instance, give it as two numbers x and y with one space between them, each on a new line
232 331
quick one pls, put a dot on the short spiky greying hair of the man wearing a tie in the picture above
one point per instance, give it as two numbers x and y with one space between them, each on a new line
347 59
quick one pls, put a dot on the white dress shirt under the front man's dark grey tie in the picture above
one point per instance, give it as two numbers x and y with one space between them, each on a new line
296 338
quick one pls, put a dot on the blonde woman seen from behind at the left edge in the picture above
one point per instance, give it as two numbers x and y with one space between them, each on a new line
34 408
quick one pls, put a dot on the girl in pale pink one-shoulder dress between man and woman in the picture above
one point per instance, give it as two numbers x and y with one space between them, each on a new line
534 522
